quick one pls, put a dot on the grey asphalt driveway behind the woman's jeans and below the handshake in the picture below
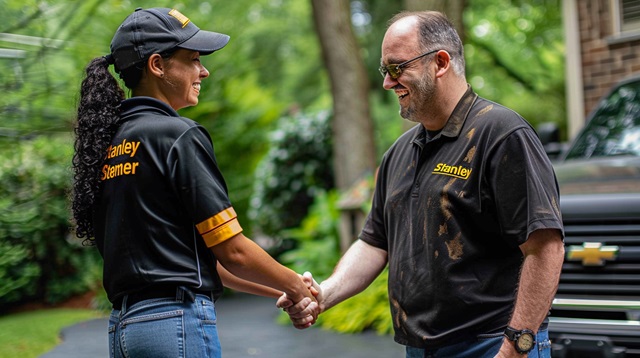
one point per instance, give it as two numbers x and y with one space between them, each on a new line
247 328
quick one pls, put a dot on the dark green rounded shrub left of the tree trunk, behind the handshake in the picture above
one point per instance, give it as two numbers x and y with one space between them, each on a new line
296 168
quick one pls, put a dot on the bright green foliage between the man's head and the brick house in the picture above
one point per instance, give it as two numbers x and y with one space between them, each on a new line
515 56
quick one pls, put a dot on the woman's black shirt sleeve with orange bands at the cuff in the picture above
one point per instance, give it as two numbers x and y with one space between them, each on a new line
201 186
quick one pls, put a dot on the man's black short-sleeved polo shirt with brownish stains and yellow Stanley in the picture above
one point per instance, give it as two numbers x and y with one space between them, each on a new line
451 212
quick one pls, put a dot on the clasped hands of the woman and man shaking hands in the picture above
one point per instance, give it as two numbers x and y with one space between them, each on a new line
303 314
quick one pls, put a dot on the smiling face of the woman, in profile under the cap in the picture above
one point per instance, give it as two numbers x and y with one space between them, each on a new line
182 78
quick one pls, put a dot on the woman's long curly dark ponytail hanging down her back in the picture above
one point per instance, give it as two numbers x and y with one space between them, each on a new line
97 121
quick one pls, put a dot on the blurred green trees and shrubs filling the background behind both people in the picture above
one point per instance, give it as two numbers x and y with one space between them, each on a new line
270 106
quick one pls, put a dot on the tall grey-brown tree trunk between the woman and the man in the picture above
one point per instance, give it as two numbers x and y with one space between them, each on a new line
354 149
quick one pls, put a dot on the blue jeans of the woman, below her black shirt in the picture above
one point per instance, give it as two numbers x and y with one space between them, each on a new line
165 327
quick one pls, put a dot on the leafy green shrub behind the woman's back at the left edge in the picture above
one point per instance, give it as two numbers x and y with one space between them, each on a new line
40 260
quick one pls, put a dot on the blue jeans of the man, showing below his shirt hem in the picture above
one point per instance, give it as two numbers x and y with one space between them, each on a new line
484 346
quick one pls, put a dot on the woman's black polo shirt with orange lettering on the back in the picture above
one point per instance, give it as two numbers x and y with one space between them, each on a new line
163 203
